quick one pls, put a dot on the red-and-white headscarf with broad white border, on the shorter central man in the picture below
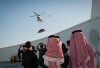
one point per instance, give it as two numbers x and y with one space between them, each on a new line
53 58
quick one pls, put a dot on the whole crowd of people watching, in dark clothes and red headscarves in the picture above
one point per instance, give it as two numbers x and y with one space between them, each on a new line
55 54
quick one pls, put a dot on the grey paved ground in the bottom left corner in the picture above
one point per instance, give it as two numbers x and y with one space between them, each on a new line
11 65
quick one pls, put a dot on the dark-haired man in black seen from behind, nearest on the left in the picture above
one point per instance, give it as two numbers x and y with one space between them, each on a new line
29 57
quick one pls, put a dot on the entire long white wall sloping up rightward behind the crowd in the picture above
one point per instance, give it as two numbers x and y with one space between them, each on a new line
86 27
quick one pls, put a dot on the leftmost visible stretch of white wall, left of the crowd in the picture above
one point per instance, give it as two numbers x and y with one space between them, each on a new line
6 53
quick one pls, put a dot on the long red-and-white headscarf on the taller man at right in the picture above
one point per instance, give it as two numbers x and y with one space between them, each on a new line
82 54
